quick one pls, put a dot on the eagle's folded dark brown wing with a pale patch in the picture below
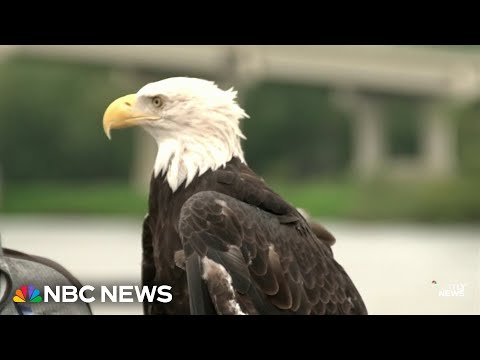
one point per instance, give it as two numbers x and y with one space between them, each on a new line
242 258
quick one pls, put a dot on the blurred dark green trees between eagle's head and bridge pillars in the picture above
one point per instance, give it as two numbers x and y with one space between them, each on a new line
295 132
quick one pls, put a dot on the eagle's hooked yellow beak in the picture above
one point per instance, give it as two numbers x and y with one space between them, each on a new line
122 113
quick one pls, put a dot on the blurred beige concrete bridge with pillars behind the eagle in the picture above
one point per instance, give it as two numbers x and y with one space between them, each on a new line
357 75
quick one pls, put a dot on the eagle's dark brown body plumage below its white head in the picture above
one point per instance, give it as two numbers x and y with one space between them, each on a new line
276 263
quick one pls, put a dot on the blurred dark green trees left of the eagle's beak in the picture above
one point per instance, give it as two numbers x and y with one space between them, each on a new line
51 122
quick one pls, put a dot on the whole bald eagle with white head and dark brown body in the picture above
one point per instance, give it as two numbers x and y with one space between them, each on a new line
215 232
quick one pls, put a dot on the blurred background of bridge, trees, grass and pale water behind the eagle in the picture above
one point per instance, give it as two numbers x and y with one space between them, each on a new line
378 143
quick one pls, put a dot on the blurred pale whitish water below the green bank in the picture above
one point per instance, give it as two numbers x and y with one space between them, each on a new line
392 265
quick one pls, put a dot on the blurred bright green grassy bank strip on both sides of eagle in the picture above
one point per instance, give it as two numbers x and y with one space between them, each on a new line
439 202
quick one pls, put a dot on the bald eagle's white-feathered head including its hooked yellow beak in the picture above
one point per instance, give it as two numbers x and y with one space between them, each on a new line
194 122
